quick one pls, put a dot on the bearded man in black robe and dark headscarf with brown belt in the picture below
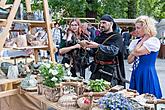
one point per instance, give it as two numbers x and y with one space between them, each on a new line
108 53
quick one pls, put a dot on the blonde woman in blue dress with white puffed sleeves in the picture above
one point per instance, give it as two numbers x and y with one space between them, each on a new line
144 77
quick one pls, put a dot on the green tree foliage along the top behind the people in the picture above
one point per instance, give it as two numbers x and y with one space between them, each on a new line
116 8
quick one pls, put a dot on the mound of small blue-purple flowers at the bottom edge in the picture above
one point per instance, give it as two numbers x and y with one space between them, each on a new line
115 101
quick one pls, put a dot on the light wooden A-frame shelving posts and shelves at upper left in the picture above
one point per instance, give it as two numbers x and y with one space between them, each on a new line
6 24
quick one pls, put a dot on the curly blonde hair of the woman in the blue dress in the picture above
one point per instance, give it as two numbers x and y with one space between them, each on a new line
149 25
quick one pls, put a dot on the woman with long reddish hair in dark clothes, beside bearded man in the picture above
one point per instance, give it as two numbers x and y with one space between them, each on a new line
71 50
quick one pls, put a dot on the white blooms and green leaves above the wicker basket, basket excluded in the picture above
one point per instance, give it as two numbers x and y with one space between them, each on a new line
52 74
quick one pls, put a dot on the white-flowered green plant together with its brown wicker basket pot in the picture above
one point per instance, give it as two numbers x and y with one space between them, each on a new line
52 74
